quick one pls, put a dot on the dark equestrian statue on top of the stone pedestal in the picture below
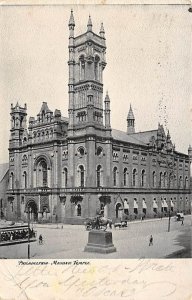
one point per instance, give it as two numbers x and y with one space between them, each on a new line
99 223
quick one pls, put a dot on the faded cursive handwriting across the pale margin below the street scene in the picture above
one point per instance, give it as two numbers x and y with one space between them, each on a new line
87 279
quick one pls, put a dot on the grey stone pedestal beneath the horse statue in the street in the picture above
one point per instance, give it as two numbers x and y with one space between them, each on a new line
100 241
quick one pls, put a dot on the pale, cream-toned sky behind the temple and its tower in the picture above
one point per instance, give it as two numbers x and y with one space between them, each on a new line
148 63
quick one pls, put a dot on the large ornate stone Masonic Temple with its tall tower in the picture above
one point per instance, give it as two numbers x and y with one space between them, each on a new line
64 169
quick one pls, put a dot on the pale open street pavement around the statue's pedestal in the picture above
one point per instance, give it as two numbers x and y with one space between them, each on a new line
131 242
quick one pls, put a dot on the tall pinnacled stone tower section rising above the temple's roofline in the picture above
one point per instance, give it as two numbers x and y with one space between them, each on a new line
86 65
